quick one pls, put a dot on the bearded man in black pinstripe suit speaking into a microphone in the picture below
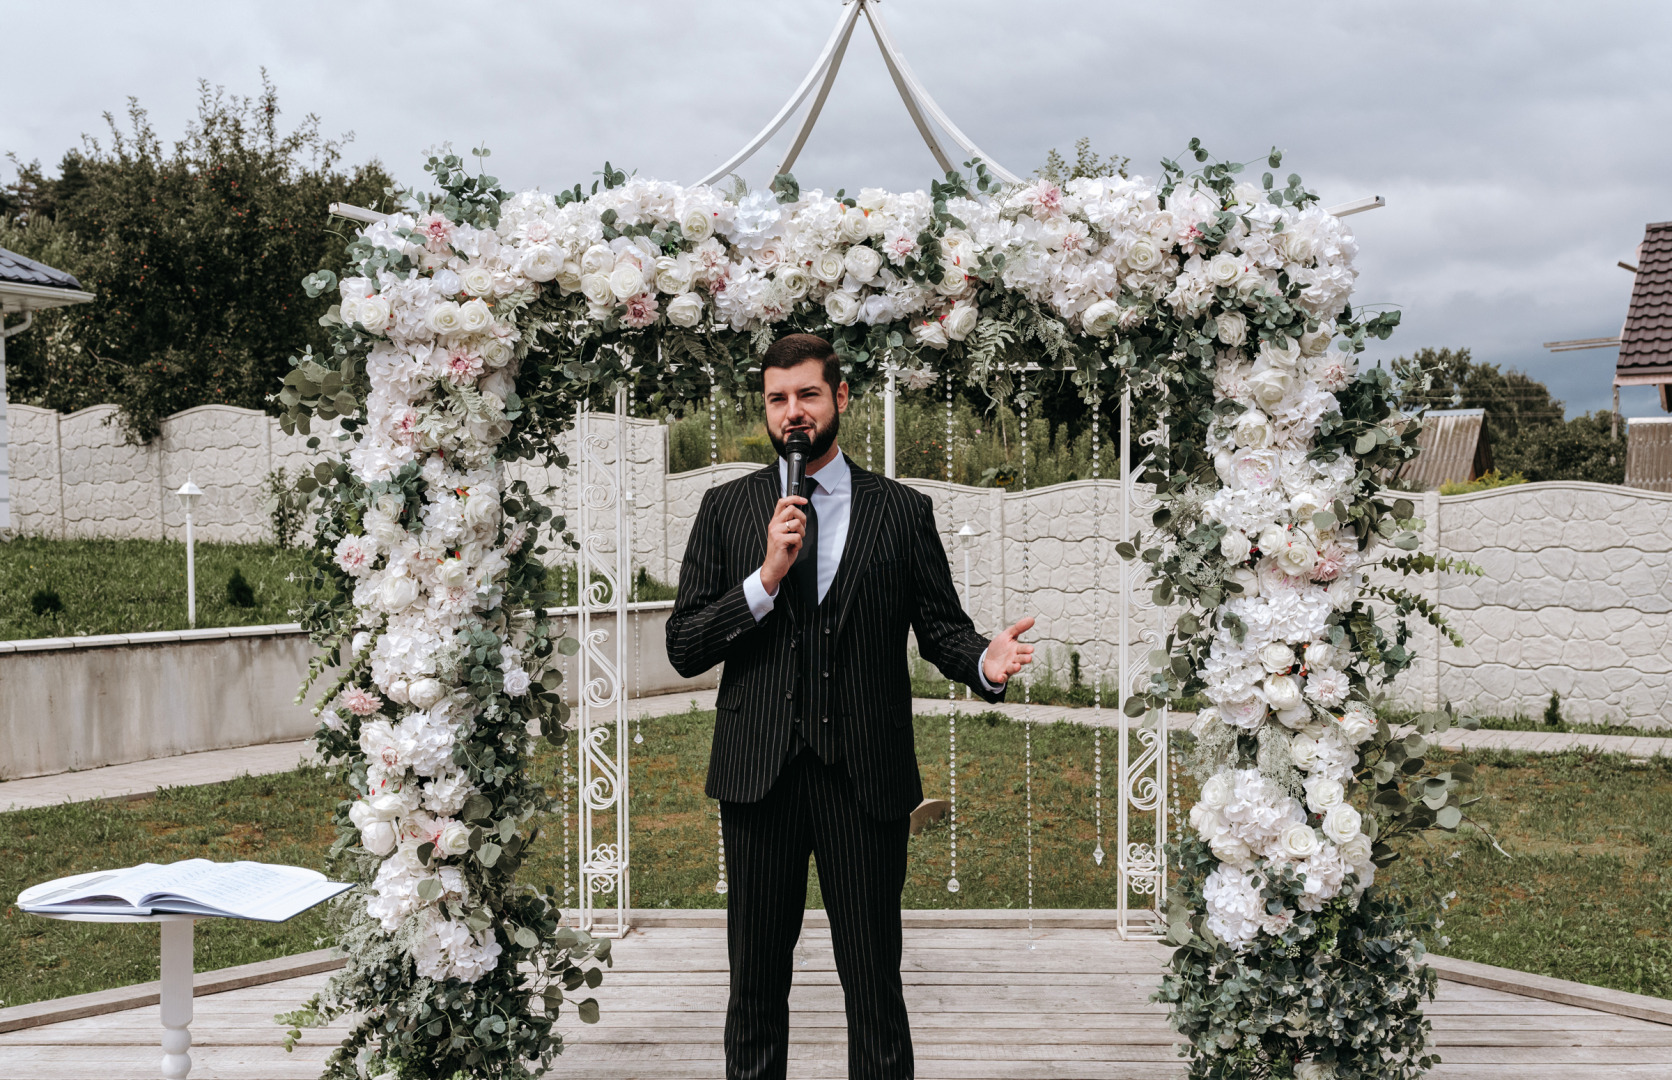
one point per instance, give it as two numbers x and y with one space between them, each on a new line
807 598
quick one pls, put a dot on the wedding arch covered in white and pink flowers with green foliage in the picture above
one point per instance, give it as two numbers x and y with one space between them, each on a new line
471 327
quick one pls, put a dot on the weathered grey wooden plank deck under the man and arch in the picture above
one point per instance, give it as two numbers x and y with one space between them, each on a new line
986 1004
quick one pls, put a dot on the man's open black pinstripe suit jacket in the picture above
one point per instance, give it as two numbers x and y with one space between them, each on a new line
894 576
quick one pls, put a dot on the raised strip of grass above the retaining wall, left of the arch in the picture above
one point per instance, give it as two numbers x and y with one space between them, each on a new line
136 586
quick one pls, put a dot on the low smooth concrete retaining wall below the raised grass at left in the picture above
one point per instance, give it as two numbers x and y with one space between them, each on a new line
83 703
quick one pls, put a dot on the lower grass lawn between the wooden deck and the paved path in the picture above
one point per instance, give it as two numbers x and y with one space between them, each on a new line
1586 895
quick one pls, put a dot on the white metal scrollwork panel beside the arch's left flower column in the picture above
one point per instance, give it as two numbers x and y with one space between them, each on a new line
603 578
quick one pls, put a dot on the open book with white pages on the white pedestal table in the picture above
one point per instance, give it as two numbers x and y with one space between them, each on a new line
195 887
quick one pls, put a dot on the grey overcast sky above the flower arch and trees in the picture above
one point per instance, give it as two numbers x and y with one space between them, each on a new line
1521 146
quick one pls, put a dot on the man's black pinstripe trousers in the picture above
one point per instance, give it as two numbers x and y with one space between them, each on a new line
813 810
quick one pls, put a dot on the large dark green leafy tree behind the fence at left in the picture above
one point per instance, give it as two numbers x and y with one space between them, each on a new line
196 255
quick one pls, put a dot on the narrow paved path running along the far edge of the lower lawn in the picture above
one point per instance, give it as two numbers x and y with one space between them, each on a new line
141 778
